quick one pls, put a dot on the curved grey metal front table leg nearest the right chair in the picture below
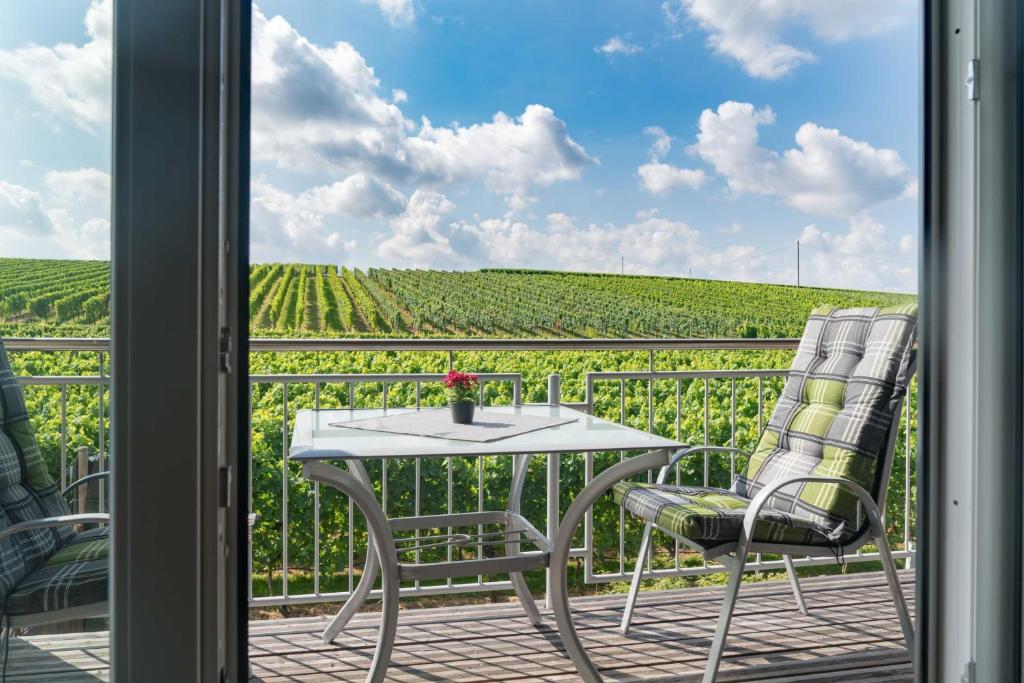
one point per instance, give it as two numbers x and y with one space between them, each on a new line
564 543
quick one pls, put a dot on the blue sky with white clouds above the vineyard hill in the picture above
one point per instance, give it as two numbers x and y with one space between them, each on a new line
696 138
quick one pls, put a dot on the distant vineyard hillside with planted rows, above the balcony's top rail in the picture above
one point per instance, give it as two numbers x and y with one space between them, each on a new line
290 300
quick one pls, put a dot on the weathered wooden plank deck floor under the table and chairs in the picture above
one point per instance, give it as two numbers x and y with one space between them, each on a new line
852 634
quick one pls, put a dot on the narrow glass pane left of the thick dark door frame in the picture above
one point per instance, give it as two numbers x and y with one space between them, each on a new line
56 76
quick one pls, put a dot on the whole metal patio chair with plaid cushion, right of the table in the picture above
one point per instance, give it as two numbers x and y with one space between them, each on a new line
817 484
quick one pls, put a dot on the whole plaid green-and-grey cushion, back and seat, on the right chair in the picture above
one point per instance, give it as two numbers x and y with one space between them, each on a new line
833 419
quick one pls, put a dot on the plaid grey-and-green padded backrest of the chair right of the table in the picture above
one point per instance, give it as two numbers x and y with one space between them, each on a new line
837 414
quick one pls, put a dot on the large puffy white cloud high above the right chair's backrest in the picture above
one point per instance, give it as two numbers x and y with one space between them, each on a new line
828 174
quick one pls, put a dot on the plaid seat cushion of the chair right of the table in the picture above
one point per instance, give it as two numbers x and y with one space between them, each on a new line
714 517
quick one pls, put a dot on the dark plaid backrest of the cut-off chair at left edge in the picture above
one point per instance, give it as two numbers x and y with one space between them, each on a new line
27 492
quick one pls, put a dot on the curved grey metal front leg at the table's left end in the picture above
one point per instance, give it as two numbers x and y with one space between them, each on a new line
380 533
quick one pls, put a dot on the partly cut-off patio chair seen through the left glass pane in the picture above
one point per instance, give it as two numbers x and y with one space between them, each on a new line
50 572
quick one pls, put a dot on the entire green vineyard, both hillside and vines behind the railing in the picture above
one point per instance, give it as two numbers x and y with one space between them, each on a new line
59 298
